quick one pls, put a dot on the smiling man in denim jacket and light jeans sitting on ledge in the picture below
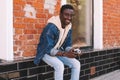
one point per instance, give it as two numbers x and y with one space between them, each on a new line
55 44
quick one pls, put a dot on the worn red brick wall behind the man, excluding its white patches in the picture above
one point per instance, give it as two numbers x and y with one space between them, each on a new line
27 30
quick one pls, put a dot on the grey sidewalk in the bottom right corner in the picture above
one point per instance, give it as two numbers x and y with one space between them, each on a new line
115 75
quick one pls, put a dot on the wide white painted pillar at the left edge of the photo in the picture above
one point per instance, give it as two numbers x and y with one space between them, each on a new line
6 29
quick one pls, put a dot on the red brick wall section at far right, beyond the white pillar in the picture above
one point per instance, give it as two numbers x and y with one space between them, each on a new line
111 23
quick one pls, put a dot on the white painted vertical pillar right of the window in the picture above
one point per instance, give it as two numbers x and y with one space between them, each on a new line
98 24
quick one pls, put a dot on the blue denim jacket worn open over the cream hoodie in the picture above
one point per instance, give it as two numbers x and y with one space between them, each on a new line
48 39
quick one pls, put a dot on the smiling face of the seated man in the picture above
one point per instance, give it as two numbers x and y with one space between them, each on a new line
66 16
